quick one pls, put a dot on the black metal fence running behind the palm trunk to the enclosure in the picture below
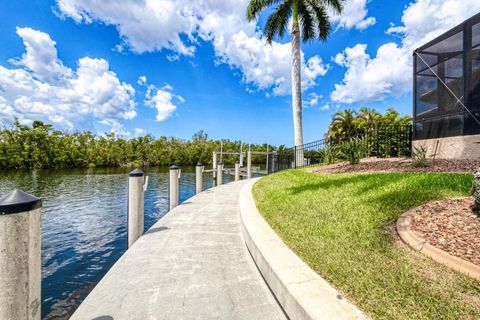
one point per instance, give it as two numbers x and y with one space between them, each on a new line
381 141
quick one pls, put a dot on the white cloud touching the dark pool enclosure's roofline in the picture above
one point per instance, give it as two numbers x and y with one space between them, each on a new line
389 72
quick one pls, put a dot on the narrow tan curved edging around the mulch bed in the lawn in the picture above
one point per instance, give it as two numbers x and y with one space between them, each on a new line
420 244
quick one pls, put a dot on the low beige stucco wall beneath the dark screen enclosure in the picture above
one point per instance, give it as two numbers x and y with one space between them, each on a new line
461 147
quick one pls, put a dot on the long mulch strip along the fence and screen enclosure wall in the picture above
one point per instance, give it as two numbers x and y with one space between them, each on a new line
399 165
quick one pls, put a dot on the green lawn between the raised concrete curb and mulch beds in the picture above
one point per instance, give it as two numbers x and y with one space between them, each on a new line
343 227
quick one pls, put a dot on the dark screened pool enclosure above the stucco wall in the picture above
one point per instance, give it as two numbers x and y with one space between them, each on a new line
447 83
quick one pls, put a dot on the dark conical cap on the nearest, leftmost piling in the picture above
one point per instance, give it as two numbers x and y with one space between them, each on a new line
17 201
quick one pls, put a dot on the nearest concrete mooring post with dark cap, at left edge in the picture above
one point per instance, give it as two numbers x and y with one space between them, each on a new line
20 256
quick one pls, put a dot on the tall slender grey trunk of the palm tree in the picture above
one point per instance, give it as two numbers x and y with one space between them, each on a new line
297 87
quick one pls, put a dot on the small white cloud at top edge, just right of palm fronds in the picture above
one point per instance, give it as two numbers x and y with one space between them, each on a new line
354 15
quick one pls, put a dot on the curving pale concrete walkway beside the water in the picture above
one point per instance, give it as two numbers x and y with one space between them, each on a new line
192 264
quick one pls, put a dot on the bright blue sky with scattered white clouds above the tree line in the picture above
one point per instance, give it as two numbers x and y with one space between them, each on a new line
175 67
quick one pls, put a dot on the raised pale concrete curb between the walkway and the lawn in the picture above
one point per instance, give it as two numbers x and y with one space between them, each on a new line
301 292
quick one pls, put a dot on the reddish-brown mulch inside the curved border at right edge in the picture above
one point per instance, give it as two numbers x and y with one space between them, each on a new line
450 225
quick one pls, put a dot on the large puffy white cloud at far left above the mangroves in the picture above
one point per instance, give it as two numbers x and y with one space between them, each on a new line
42 88
